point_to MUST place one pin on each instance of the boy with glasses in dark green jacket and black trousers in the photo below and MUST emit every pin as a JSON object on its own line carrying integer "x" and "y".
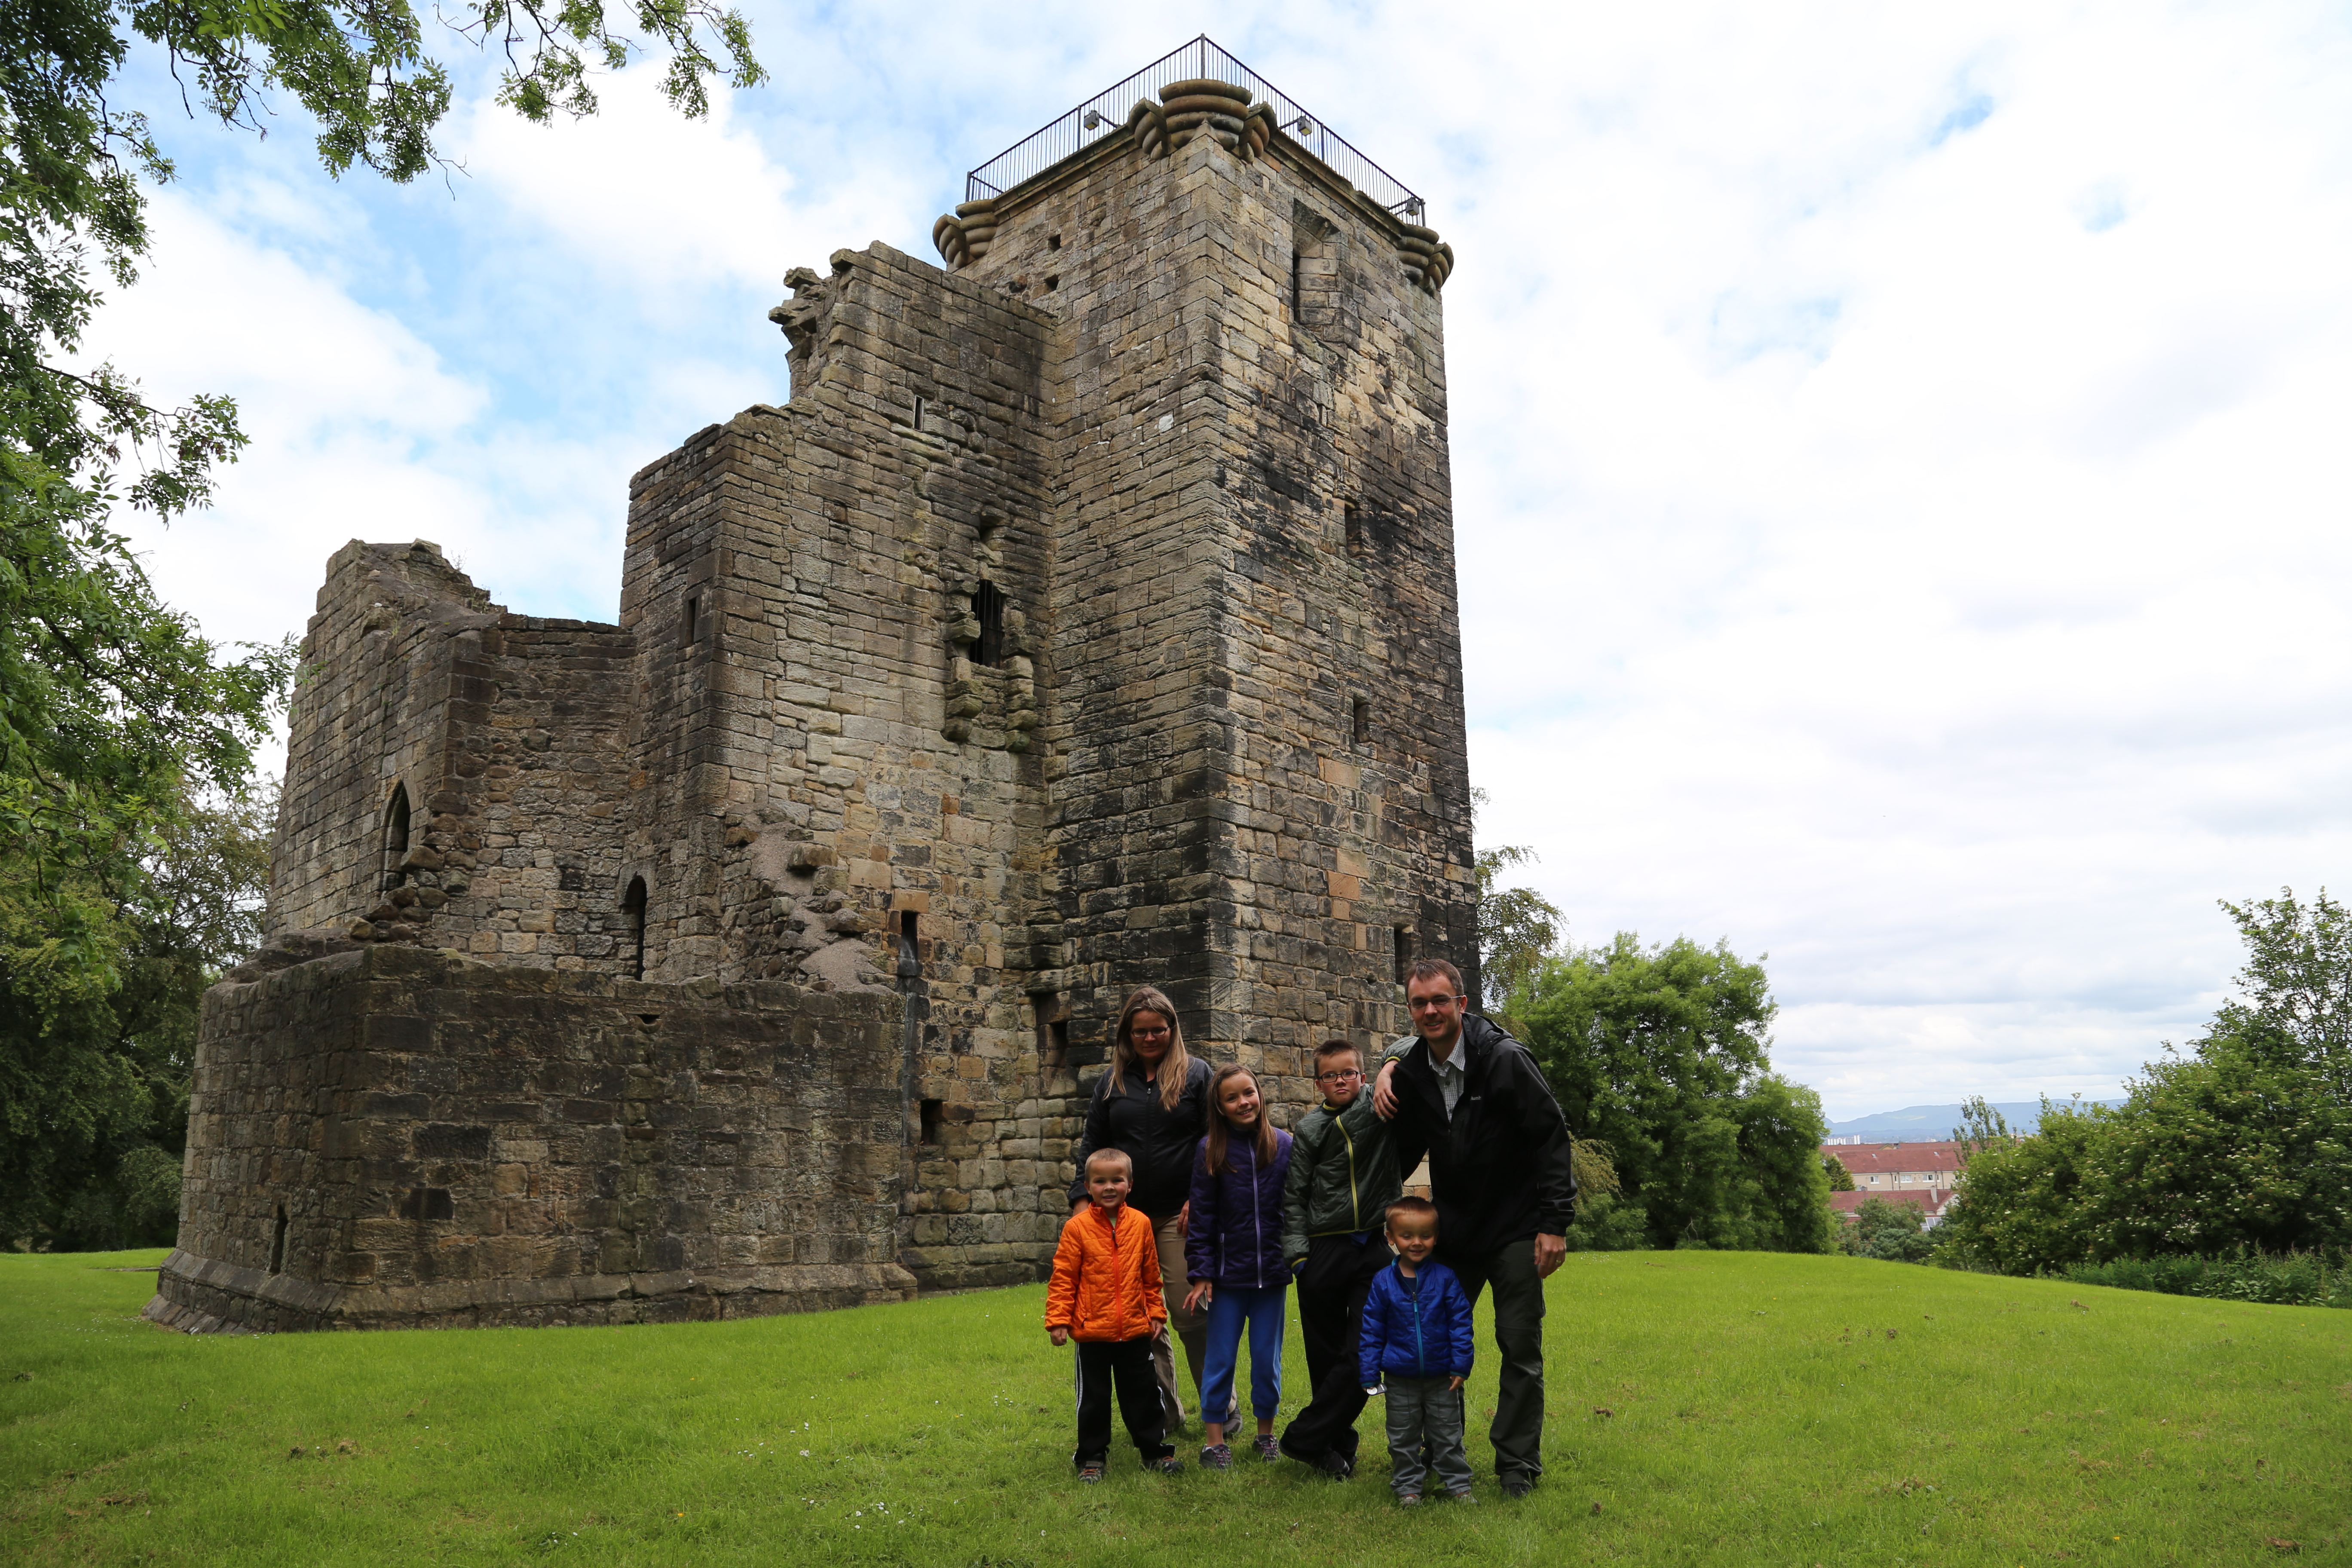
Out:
{"x": 1335, "y": 1207}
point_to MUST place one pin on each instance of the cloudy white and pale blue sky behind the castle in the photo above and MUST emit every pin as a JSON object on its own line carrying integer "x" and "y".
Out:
{"x": 1899, "y": 450}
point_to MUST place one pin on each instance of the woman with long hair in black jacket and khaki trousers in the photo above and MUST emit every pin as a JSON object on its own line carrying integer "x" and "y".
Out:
{"x": 1154, "y": 1106}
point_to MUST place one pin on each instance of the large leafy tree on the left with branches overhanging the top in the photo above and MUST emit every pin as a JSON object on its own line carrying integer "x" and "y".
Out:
{"x": 119, "y": 721}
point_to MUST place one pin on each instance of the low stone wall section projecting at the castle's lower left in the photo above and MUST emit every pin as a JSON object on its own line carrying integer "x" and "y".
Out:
{"x": 413, "y": 1139}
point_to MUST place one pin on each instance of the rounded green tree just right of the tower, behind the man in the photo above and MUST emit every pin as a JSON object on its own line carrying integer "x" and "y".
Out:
{"x": 1662, "y": 1054}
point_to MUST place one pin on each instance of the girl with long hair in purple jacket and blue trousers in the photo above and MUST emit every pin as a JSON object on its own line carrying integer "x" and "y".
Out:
{"x": 1234, "y": 1257}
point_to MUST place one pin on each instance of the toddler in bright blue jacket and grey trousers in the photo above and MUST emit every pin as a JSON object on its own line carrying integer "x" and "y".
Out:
{"x": 1417, "y": 1334}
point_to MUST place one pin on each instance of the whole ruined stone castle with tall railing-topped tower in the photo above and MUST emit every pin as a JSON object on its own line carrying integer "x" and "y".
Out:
{"x": 1085, "y": 619}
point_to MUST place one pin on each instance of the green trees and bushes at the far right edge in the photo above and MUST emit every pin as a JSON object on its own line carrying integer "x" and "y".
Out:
{"x": 2238, "y": 1144}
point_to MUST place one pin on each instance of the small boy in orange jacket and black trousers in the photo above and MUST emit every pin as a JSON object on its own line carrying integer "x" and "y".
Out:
{"x": 1107, "y": 1296}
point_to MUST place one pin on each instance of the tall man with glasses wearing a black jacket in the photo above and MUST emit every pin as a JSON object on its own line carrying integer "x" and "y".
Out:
{"x": 1469, "y": 1097}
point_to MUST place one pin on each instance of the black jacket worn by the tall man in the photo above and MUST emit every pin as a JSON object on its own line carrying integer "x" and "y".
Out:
{"x": 1499, "y": 1170}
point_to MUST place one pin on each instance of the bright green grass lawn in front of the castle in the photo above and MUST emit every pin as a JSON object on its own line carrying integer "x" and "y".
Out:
{"x": 1760, "y": 1409}
